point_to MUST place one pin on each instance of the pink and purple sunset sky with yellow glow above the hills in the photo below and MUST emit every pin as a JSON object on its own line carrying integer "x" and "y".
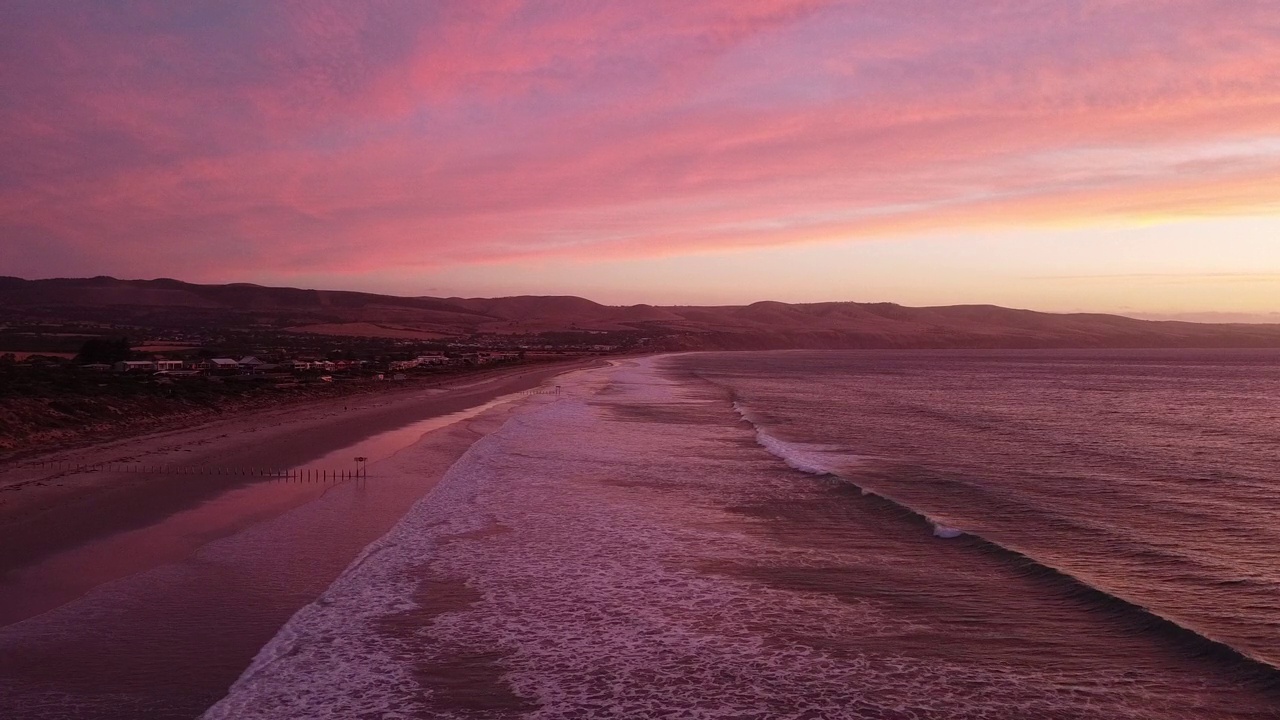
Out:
{"x": 1060, "y": 156}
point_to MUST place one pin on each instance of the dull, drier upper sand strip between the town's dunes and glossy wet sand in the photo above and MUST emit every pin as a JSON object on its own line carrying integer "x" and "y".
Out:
{"x": 44, "y": 513}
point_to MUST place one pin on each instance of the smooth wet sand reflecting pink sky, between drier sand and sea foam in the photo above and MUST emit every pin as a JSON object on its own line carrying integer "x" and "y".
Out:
{"x": 171, "y": 641}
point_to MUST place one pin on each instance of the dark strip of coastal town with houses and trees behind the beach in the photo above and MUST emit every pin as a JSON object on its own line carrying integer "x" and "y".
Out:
{"x": 60, "y": 384}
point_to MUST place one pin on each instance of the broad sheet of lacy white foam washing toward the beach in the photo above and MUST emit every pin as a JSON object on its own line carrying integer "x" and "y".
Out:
{"x": 606, "y": 569}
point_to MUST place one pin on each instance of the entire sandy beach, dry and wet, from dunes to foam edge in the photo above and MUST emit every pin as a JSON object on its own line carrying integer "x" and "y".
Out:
{"x": 68, "y": 537}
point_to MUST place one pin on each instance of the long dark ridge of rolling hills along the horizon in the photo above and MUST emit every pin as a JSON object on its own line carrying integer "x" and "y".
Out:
{"x": 767, "y": 325}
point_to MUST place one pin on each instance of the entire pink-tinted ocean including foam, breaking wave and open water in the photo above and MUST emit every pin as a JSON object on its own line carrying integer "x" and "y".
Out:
{"x": 1059, "y": 535}
